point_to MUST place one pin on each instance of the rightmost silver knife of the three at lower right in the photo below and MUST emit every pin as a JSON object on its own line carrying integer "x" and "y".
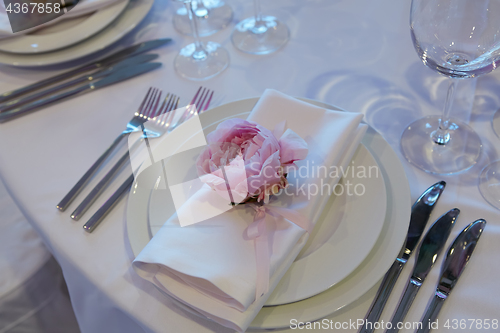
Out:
{"x": 457, "y": 258}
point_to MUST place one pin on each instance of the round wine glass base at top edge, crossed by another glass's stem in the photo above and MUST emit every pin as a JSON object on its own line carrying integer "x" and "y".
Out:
{"x": 213, "y": 16}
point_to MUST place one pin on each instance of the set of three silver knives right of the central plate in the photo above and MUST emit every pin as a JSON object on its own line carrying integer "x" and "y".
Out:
{"x": 458, "y": 256}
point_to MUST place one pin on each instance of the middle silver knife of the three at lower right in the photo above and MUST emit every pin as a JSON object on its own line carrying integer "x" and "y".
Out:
{"x": 428, "y": 252}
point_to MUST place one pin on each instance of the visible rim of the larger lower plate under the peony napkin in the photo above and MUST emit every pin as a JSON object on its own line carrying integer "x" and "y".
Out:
{"x": 359, "y": 281}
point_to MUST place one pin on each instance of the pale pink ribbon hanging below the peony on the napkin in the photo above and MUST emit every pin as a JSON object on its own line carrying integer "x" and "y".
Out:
{"x": 258, "y": 232}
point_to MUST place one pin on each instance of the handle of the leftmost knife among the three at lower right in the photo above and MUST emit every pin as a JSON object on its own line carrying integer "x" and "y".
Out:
{"x": 382, "y": 296}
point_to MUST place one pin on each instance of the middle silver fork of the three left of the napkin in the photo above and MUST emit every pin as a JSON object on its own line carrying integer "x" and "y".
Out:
{"x": 169, "y": 103}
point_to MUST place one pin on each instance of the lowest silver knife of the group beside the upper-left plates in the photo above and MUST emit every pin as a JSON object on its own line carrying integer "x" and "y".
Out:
{"x": 119, "y": 76}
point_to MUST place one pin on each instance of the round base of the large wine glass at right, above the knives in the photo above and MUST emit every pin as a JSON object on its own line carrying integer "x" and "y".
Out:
{"x": 459, "y": 154}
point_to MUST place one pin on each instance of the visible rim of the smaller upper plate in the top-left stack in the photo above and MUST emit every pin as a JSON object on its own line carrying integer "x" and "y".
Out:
{"x": 64, "y": 33}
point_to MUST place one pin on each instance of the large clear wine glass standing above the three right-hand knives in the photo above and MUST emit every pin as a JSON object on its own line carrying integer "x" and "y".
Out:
{"x": 458, "y": 39}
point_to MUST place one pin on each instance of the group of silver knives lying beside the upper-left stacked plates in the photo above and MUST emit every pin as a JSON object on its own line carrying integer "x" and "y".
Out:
{"x": 115, "y": 68}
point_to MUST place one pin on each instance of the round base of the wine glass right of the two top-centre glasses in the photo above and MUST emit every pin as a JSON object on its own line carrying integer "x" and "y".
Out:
{"x": 263, "y": 38}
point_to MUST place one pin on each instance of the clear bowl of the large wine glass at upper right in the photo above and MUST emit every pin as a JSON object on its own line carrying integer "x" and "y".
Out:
{"x": 458, "y": 39}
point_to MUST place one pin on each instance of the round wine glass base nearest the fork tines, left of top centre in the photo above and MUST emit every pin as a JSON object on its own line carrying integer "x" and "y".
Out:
{"x": 190, "y": 65}
